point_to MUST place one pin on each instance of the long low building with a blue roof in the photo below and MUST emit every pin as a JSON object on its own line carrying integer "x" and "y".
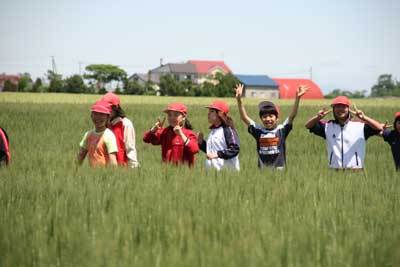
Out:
{"x": 259, "y": 86}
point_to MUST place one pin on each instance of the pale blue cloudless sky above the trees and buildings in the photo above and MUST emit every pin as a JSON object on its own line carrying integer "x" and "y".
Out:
{"x": 348, "y": 43}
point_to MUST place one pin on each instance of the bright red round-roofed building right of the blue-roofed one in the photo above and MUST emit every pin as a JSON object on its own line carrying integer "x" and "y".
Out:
{"x": 288, "y": 87}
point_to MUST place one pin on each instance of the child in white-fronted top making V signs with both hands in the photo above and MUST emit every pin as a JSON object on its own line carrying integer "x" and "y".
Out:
{"x": 345, "y": 137}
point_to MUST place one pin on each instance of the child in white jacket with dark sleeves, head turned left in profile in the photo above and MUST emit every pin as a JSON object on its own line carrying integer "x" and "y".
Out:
{"x": 222, "y": 145}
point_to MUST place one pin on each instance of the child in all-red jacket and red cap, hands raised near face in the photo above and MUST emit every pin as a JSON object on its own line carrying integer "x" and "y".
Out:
{"x": 178, "y": 142}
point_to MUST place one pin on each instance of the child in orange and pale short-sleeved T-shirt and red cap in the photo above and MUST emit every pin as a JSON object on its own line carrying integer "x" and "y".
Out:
{"x": 100, "y": 144}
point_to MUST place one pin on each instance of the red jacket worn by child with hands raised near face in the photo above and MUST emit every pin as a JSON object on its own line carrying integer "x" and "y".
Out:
{"x": 173, "y": 148}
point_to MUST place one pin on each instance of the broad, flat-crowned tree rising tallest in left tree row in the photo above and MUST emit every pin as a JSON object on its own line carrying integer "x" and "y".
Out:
{"x": 104, "y": 73}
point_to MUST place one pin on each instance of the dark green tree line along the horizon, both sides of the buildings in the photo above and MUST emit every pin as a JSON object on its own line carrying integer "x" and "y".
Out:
{"x": 97, "y": 77}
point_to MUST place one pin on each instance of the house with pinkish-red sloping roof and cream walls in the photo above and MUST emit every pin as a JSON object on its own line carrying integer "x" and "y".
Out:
{"x": 207, "y": 69}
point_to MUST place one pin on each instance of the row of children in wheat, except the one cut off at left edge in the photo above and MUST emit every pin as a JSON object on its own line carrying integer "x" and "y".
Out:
{"x": 112, "y": 141}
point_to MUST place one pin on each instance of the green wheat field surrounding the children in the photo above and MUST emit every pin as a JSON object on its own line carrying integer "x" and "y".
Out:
{"x": 54, "y": 213}
